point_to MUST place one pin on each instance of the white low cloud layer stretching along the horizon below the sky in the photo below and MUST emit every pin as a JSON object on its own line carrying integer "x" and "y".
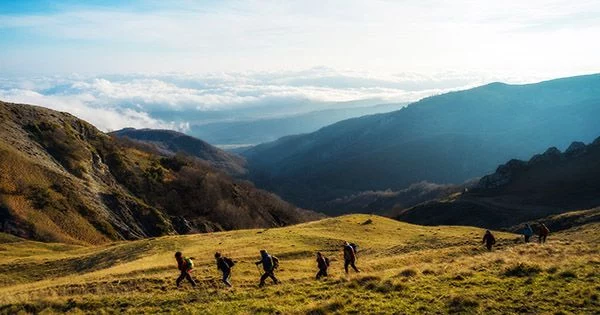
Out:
{"x": 112, "y": 102}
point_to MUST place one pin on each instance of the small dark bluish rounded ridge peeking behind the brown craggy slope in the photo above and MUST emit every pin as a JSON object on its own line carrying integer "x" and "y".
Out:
{"x": 171, "y": 142}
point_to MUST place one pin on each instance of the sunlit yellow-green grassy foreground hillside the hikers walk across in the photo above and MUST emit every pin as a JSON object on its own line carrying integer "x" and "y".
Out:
{"x": 406, "y": 268}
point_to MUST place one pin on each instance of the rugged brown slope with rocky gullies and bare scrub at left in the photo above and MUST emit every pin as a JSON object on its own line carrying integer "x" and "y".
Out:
{"x": 63, "y": 180}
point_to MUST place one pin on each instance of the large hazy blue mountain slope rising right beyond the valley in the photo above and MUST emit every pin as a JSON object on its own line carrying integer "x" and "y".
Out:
{"x": 447, "y": 138}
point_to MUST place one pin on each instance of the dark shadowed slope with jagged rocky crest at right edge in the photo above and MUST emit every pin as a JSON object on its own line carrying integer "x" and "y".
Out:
{"x": 548, "y": 184}
